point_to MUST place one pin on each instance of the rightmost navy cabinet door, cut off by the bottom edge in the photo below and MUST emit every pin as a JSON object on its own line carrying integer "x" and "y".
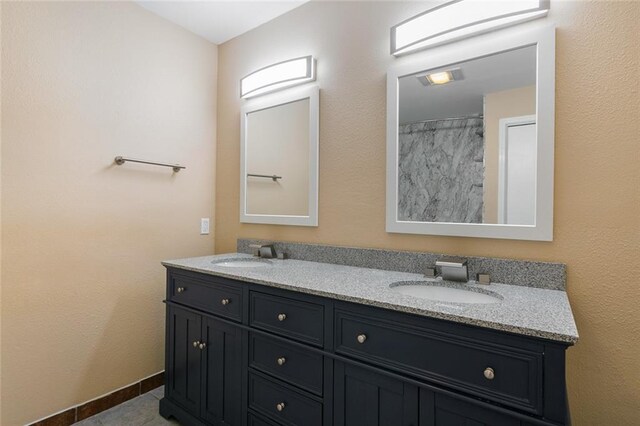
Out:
{"x": 441, "y": 410}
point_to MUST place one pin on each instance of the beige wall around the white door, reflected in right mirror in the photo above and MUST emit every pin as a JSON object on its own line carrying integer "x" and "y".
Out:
{"x": 498, "y": 105}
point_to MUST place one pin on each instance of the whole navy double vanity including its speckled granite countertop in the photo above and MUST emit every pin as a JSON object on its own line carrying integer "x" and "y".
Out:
{"x": 259, "y": 342}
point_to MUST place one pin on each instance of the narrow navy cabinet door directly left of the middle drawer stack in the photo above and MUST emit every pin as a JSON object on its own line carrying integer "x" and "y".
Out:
{"x": 221, "y": 387}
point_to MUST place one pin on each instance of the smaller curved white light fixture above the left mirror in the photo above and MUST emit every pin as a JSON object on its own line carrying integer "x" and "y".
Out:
{"x": 278, "y": 76}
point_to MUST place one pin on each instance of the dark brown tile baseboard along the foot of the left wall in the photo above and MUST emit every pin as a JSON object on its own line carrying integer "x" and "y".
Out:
{"x": 90, "y": 408}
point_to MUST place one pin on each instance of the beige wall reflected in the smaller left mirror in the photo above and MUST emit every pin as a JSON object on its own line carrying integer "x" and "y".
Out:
{"x": 278, "y": 144}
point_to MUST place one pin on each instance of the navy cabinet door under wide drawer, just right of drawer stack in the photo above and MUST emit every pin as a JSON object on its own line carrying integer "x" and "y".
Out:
{"x": 365, "y": 398}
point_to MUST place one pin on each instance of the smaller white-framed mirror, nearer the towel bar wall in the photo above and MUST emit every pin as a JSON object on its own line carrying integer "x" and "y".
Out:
{"x": 279, "y": 158}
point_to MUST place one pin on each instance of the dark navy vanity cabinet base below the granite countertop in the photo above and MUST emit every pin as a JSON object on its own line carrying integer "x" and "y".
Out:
{"x": 244, "y": 354}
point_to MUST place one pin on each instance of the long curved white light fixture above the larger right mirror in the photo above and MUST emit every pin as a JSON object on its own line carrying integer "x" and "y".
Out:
{"x": 458, "y": 19}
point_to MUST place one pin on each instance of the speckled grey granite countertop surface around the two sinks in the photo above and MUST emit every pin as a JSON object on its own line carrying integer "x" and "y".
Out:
{"x": 523, "y": 310}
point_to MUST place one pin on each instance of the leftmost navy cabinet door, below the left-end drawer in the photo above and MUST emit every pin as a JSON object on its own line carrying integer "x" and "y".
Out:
{"x": 183, "y": 358}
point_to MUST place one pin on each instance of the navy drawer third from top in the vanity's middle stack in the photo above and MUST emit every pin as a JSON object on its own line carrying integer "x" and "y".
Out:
{"x": 283, "y": 404}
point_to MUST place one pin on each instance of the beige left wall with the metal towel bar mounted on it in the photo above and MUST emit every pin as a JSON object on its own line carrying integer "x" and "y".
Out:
{"x": 82, "y": 283}
